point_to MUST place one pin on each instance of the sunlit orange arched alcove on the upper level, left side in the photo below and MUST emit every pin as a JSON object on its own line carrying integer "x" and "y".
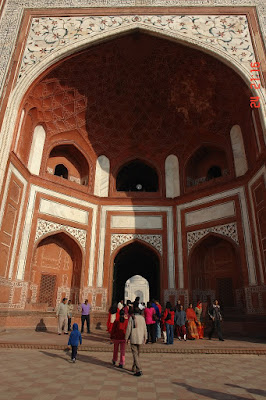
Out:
{"x": 68, "y": 162}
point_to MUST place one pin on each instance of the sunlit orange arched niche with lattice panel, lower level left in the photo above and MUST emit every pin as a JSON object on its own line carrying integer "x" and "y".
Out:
{"x": 56, "y": 270}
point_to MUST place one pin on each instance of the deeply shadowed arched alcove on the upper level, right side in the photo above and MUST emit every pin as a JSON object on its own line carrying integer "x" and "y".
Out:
{"x": 207, "y": 163}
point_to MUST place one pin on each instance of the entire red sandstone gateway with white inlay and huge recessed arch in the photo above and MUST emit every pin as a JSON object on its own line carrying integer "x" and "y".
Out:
{"x": 135, "y": 155}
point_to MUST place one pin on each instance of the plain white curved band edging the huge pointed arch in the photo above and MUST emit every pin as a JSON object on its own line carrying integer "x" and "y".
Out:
{"x": 49, "y": 62}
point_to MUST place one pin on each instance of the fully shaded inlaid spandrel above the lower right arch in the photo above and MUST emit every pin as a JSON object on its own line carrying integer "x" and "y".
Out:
{"x": 229, "y": 230}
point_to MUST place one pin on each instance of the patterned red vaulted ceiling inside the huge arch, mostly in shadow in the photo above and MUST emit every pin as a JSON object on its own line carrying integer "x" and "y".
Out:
{"x": 142, "y": 95}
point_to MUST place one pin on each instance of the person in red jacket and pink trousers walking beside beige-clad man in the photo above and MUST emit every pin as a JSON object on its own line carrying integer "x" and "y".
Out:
{"x": 118, "y": 337}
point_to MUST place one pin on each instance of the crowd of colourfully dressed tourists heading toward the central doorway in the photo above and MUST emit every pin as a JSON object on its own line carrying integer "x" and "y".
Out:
{"x": 140, "y": 324}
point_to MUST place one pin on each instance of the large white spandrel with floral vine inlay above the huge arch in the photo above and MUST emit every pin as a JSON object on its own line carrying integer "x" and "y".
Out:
{"x": 230, "y": 34}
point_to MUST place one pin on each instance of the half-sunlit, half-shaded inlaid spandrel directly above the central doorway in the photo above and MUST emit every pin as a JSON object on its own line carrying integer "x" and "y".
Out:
{"x": 117, "y": 239}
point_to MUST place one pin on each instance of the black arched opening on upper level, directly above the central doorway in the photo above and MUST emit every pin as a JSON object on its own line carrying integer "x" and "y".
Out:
{"x": 137, "y": 176}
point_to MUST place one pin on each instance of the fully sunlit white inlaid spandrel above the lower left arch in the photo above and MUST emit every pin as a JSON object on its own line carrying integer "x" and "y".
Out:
{"x": 45, "y": 227}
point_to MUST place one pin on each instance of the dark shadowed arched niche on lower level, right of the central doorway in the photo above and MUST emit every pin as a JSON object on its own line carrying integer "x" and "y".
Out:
{"x": 214, "y": 271}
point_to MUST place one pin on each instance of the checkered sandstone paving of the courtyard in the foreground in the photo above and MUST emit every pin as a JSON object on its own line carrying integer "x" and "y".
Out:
{"x": 47, "y": 375}
